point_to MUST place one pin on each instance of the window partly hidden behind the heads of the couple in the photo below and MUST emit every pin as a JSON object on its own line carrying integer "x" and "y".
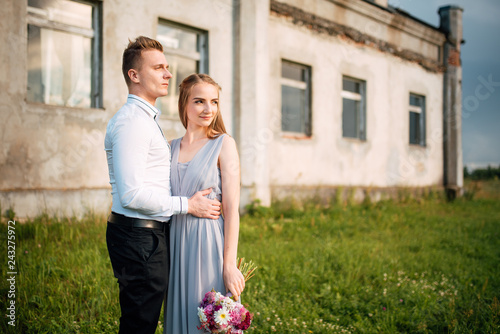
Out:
{"x": 186, "y": 50}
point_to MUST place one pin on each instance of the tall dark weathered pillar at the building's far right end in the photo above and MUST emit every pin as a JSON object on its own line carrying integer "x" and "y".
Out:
{"x": 451, "y": 25}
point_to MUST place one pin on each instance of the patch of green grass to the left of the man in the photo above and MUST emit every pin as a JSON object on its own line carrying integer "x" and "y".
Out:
{"x": 64, "y": 282}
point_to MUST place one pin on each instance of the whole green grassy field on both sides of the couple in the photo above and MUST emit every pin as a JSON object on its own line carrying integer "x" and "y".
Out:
{"x": 415, "y": 266}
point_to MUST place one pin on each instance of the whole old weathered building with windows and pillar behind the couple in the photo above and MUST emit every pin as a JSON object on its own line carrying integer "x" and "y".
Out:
{"x": 318, "y": 94}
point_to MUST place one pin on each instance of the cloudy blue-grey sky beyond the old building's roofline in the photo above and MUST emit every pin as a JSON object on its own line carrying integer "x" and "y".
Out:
{"x": 480, "y": 73}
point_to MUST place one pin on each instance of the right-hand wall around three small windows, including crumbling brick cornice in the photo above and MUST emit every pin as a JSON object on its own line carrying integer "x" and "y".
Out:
{"x": 395, "y": 57}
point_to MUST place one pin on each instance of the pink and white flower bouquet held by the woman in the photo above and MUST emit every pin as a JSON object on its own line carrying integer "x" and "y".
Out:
{"x": 223, "y": 314}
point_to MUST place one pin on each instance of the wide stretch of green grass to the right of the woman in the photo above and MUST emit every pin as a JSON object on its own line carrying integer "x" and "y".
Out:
{"x": 419, "y": 267}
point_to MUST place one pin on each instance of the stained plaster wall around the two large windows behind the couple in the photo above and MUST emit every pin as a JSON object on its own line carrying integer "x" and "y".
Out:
{"x": 52, "y": 158}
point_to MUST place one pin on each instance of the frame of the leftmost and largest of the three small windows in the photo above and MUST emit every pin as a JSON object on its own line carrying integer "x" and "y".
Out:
{"x": 306, "y": 86}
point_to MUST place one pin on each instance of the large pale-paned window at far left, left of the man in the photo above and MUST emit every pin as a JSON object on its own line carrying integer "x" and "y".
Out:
{"x": 64, "y": 63}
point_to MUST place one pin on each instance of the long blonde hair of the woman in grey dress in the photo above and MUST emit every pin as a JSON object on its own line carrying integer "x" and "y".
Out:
{"x": 216, "y": 128}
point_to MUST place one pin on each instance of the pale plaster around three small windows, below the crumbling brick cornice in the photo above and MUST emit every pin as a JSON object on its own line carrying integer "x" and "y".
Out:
{"x": 327, "y": 159}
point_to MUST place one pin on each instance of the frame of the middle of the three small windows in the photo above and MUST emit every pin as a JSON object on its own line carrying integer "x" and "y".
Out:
{"x": 361, "y": 126}
